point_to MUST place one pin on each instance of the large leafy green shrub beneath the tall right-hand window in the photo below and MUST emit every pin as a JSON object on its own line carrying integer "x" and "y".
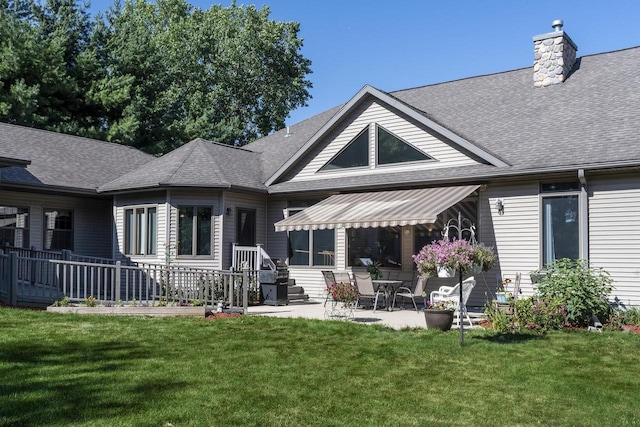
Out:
{"x": 580, "y": 289}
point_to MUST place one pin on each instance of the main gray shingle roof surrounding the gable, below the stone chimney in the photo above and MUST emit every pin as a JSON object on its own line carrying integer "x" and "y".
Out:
{"x": 589, "y": 119}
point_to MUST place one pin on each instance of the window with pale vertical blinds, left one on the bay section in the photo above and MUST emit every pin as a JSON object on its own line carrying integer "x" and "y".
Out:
{"x": 140, "y": 231}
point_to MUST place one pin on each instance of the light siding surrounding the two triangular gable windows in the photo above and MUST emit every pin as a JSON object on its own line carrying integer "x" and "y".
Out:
{"x": 366, "y": 116}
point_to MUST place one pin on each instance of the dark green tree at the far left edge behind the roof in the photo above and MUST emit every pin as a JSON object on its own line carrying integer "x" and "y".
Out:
{"x": 46, "y": 65}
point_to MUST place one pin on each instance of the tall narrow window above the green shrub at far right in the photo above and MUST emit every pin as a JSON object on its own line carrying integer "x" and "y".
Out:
{"x": 560, "y": 222}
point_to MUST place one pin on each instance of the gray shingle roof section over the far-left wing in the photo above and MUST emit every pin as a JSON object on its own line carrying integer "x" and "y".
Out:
{"x": 64, "y": 161}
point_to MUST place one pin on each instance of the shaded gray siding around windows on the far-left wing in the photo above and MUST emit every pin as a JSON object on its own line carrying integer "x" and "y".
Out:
{"x": 92, "y": 224}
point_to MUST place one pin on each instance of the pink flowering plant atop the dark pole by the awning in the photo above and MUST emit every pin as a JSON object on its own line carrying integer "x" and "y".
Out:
{"x": 451, "y": 256}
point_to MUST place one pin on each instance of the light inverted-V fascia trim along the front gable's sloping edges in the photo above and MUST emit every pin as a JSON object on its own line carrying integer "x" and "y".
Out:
{"x": 395, "y": 103}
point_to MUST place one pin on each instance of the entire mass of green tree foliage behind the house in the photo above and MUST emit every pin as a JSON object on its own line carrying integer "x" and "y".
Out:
{"x": 150, "y": 74}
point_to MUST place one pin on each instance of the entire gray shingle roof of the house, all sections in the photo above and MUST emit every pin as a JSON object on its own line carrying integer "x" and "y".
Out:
{"x": 589, "y": 120}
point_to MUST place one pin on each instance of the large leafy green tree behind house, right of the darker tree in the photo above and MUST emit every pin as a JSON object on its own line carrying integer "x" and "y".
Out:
{"x": 176, "y": 72}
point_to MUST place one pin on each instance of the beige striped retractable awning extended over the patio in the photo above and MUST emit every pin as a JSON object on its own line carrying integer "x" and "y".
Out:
{"x": 377, "y": 209}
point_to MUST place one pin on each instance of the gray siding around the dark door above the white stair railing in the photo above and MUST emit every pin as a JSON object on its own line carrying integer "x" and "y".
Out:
{"x": 234, "y": 200}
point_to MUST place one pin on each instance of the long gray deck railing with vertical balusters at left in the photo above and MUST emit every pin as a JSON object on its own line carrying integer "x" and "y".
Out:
{"x": 24, "y": 278}
